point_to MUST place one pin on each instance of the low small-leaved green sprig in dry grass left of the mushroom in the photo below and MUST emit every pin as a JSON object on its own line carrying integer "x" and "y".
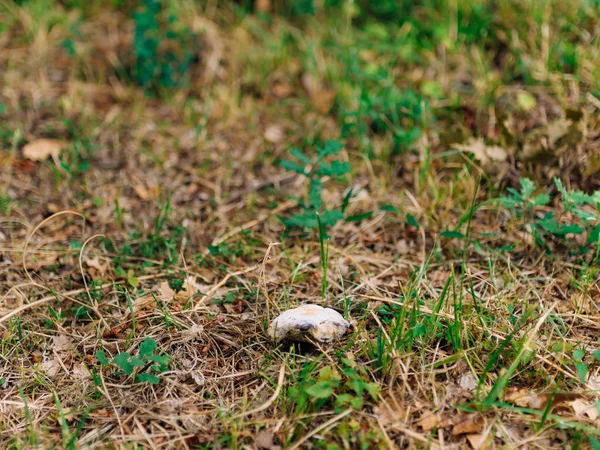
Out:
{"x": 146, "y": 360}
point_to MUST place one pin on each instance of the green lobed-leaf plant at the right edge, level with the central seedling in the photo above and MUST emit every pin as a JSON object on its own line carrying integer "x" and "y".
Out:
{"x": 573, "y": 219}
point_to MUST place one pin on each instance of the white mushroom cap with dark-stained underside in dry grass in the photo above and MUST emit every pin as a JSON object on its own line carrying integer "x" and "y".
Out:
{"x": 309, "y": 323}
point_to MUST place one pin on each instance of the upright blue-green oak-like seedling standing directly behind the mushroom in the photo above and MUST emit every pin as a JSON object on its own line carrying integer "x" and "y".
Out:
{"x": 323, "y": 165}
